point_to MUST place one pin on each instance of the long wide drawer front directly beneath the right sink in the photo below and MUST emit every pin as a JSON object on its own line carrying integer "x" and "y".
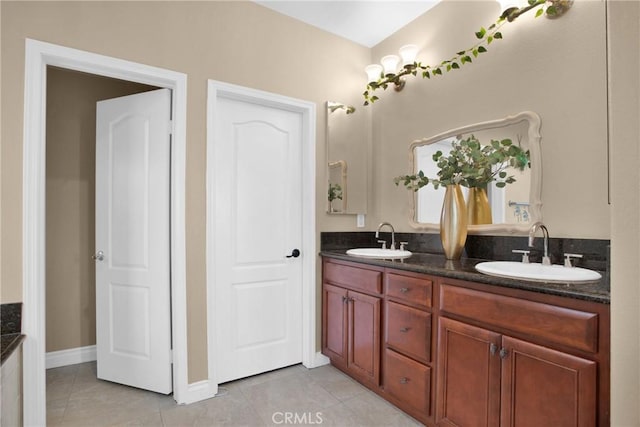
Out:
{"x": 564, "y": 326}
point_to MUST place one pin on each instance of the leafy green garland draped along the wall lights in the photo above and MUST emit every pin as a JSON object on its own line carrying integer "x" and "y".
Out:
{"x": 485, "y": 36}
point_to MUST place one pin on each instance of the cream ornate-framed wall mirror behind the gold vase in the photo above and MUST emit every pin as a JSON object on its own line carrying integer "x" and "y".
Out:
{"x": 514, "y": 207}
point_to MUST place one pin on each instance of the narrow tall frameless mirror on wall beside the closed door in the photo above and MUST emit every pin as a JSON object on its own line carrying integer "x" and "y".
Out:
{"x": 347, "y": 157}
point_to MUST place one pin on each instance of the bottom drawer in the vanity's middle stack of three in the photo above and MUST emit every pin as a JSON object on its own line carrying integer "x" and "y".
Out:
{"x": 408, "y": 381}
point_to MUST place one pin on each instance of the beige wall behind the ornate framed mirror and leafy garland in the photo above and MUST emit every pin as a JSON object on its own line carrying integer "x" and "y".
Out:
{"x": 556, "y": 68}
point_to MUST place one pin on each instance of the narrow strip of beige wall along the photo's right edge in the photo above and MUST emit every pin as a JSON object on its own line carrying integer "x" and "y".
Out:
{"x": 624, "y": 78}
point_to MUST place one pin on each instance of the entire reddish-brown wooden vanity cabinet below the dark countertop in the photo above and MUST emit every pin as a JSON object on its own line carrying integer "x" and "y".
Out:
{"x": 456, "y": 353}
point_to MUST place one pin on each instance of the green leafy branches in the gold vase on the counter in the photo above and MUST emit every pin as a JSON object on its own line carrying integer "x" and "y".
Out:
{"x": 472, "y": 164}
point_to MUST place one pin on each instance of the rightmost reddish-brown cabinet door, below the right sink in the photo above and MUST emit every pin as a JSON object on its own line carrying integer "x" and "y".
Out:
{"x": 544, "y": 387}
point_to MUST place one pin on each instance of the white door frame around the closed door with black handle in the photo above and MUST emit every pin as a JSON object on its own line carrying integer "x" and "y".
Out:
{"x": 307, "y": 110}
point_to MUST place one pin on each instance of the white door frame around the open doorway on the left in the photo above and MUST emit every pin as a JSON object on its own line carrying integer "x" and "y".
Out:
{"x": 38, "y": 56}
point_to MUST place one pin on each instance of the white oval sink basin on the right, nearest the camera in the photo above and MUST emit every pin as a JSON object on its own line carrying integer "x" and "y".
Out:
{"x": 538, "y": 272}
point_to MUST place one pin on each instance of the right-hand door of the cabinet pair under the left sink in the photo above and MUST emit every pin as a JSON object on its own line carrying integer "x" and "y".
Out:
{"x": 364, "y": 336}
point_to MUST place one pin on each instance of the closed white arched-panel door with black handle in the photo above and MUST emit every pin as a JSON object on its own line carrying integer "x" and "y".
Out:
{"x": 258, "y": 233}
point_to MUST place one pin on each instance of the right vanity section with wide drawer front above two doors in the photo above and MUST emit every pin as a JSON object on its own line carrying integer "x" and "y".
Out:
{"x": 506, "y": 361}
